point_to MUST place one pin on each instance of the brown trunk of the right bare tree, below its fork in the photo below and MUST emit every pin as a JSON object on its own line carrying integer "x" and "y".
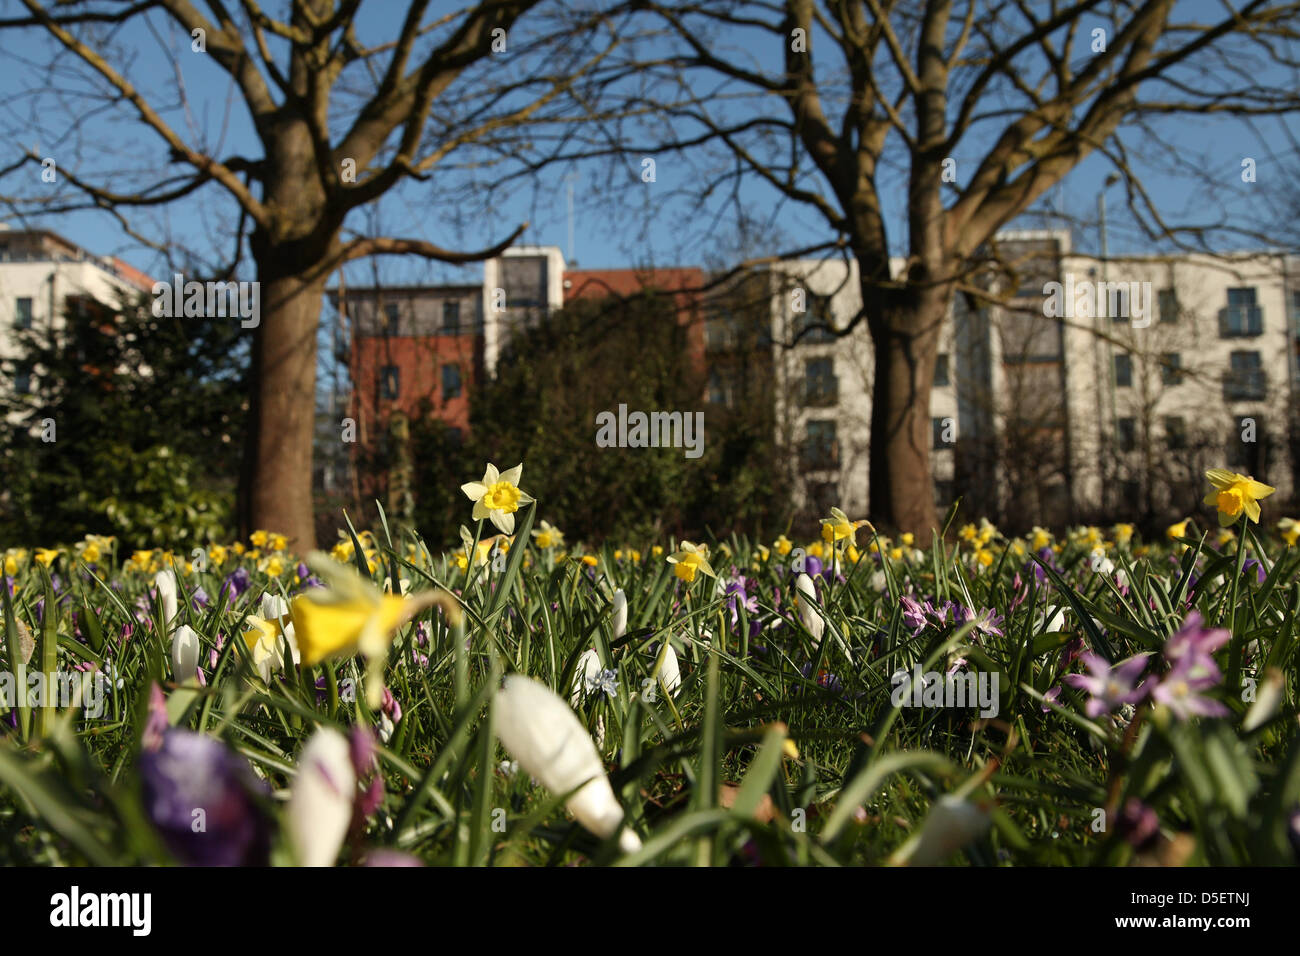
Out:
{"x": 905, "y": 339}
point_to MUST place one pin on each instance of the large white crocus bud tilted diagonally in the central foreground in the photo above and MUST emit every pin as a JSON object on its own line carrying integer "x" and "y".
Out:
{"x": 540, "y": 732}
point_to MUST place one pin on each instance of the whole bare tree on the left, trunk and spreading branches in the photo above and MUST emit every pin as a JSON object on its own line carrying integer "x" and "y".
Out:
{"x": 339, "y": 124}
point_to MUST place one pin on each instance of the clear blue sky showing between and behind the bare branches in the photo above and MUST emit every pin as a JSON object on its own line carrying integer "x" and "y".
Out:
{"x": 652, "y": 223}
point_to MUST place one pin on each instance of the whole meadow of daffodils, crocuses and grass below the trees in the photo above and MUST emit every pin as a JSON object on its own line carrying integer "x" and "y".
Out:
{"x": 515, "y": 699}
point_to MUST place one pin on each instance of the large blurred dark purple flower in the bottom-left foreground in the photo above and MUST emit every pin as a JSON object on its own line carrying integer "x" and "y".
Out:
{"x": 189, "y": 777}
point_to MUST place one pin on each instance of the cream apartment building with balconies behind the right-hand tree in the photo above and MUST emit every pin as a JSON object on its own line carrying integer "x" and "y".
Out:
{"x": 1071, "y": 392}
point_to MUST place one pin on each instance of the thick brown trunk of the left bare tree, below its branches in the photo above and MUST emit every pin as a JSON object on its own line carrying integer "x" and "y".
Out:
{"x": 284, "y": 406}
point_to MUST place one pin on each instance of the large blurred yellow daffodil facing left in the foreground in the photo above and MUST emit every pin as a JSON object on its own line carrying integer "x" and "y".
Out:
{"x": 350, "y": 616}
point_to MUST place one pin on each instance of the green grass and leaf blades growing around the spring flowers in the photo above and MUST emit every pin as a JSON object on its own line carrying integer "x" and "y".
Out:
{"x": 707, "y": 775}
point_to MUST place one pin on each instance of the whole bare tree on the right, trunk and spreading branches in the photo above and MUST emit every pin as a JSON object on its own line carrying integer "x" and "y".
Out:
{"x": 978, "y": 109}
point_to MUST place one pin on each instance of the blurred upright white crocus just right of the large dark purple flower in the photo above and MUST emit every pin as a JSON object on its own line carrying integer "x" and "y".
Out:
{"x": 320, "y": 799}
